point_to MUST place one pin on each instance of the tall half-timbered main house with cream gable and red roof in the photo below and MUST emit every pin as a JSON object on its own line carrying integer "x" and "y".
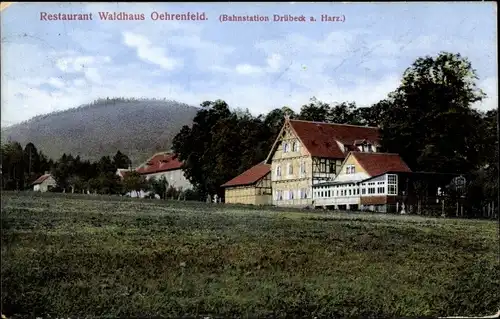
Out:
{"x": 306, "y": 153}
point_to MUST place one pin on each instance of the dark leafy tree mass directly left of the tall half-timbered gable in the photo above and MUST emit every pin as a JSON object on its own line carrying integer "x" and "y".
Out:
{"x": 221, "y": 144}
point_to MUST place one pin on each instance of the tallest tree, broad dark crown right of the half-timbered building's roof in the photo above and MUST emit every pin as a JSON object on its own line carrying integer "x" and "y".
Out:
{"x": 429, "y": 120}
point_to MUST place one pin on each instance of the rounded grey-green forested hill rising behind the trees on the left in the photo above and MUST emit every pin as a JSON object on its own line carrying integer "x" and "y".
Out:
{"x": 137, "y": 127}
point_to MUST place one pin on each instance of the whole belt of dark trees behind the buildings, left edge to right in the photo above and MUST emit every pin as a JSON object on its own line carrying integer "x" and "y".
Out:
{"x": 429, "y": 120}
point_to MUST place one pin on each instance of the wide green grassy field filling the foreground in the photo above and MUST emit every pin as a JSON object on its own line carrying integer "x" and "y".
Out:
{"x": 77, "y": 256}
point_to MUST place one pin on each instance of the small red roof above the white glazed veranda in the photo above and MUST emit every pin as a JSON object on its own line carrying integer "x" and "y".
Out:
{"x": 380, "y": 163}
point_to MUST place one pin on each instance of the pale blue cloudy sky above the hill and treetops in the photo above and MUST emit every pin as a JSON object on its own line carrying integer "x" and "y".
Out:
{"x": 55, "y": 65}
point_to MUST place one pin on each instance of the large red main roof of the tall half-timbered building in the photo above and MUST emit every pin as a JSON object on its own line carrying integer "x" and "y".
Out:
{"x": 320, "y": 138}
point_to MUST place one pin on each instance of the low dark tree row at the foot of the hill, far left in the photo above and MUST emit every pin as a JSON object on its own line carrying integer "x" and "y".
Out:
{"x": 21, "y": 167}
